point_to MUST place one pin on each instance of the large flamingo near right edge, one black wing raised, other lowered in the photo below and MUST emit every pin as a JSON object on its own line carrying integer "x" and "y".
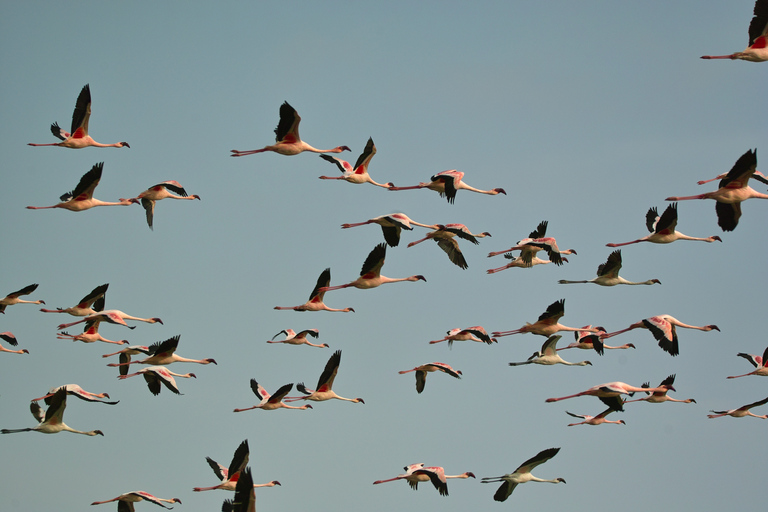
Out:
{"x": 733, "y": 189}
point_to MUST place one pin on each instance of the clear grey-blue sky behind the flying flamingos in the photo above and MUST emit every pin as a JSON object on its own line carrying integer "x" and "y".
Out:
{"x": 587, "y": 113}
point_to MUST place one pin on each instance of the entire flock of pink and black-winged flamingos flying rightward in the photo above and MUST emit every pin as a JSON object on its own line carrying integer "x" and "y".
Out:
{"x": 732, "y": 190}
